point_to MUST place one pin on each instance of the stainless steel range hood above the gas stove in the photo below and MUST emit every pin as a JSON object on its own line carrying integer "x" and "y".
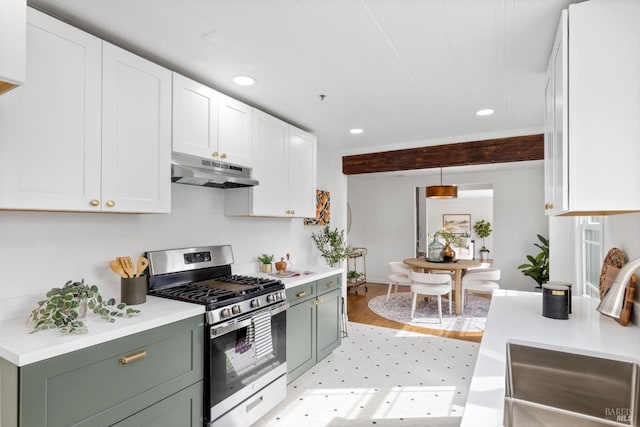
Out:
{"x": 192, "y": 170}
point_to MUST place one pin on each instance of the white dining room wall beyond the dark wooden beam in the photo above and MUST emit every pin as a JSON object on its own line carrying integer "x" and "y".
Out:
{"x": 382, "y": 209}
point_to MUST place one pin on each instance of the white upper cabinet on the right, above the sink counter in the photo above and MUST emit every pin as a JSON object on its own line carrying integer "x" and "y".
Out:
{"x": 592, "y": 137}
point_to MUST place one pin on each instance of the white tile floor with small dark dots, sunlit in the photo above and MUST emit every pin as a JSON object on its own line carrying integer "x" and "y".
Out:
{"x": 383, "y": 377}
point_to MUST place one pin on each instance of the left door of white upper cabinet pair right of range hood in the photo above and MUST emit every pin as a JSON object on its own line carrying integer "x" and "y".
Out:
{"x": 271, "y": 137}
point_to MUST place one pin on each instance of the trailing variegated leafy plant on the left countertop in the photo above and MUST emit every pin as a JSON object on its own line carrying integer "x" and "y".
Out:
{"x": 63, "y": 306}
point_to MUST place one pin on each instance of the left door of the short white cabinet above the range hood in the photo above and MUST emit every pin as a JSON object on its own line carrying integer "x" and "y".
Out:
{"x": 195, "y": 118}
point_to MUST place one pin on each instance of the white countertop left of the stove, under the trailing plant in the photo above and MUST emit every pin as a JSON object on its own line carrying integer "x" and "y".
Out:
{"x": 20, "y": 347}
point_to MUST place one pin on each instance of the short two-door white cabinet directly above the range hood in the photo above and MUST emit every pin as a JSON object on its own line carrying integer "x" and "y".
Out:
{"x": 209, "y": 124}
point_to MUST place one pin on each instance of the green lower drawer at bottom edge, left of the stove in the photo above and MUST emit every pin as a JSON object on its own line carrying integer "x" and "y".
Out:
{"x": 182, "y": 409}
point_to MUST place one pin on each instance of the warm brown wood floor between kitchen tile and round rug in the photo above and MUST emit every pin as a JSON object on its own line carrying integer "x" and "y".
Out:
{"x": 358, "y": 311}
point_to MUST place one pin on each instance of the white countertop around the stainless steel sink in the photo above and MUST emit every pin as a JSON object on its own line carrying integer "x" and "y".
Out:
{"x": 518, "y": 316}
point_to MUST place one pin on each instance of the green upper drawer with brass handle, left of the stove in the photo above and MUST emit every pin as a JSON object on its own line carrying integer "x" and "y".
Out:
{"x": 106, "y": 383}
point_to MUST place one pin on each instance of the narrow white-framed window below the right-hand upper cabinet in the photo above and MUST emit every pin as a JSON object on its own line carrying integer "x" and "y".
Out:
{"x": 592, "y": 254}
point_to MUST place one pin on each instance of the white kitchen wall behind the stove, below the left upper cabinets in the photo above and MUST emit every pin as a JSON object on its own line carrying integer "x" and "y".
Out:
{"x": 41, "y": 250}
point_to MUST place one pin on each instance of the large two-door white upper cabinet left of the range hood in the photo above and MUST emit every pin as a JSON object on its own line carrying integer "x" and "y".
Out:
{"x": 77, "y": 137}
